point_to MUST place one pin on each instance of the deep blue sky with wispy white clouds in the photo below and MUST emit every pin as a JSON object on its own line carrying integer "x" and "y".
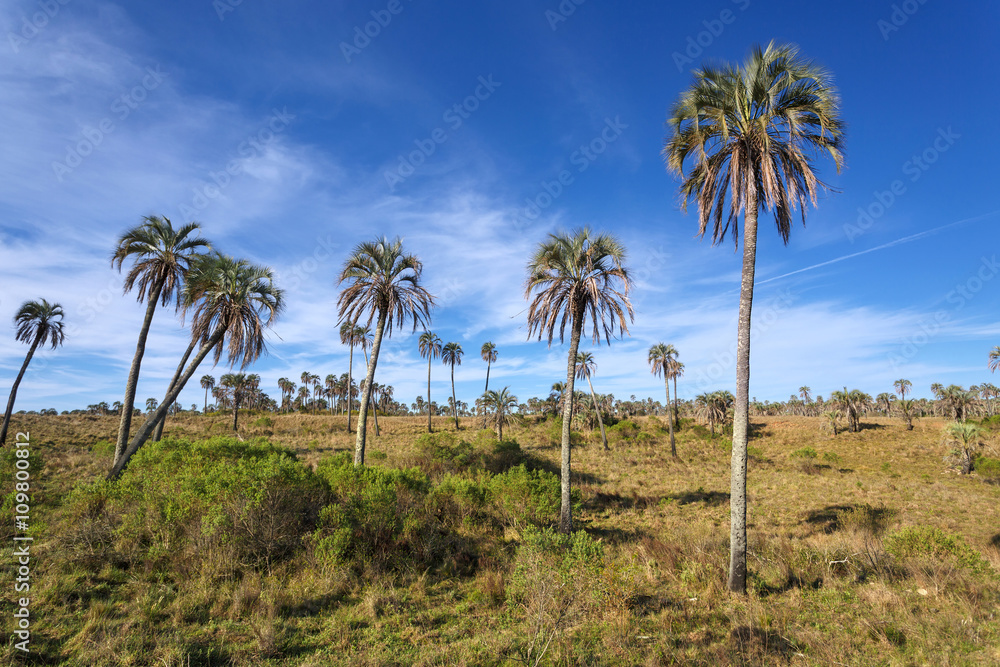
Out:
{"x": 294, "y": 131}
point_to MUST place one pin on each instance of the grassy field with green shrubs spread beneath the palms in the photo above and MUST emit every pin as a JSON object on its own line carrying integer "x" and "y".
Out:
{"x": 864, "y": 549}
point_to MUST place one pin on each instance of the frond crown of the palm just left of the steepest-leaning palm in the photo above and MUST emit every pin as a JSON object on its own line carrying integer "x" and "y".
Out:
{"x": 162, "y": 256}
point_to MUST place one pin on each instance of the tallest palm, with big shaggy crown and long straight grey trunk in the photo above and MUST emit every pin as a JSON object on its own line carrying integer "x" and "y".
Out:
{"x": 748, "y": 131}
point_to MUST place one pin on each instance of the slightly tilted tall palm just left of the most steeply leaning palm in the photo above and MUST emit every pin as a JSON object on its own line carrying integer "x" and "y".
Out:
{"x": 162, "y": 258}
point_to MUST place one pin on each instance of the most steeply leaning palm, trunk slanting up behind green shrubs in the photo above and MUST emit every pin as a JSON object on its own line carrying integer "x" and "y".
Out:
{"x": 234, "y": 301}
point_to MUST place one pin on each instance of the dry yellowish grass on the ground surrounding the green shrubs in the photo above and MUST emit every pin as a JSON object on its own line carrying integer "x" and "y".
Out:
{"x": 824, "y": 592}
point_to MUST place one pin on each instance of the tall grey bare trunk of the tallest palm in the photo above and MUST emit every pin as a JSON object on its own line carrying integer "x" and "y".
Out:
{"x": 741, "y": 418}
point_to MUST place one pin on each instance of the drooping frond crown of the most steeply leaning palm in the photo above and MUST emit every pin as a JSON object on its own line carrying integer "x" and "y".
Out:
{"x": 237, "y": 298}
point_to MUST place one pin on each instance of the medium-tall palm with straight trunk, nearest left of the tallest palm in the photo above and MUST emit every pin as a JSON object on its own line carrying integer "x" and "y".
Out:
{"x": 571, "y": 276}
